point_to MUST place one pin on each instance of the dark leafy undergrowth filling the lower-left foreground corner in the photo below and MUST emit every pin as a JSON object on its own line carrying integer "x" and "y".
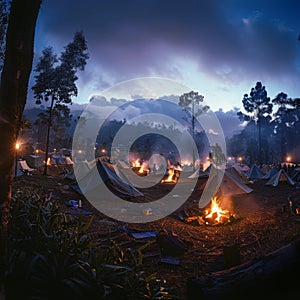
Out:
{"x": 52, "y": 256}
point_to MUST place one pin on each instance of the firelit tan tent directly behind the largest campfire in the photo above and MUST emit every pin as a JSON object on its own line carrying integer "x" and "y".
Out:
{"x": 230, "y": 185}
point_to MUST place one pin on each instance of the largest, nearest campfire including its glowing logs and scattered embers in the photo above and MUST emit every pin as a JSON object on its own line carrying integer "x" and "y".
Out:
{"x": 214, "y": 215}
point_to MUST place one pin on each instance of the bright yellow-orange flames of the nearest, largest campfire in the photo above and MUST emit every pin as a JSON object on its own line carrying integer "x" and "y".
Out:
{"x": 215, "y": 214}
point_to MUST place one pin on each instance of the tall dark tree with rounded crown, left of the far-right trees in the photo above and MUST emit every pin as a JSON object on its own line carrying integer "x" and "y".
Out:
{"x": 258, "y": 106}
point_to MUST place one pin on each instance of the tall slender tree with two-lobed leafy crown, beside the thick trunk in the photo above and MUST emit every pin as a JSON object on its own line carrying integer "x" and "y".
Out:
{"x": 56, "y": 82}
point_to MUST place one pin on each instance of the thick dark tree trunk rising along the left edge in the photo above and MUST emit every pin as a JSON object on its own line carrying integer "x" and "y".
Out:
{"x": 13, "y": 93}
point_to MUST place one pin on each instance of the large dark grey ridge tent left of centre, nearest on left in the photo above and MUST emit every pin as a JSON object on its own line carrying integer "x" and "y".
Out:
{"x": 103, "y": 174}
